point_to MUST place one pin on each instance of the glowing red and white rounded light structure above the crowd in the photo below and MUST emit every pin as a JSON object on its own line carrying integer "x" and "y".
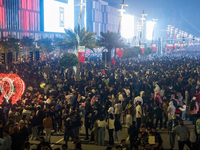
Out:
{"x": 11, "y": 87}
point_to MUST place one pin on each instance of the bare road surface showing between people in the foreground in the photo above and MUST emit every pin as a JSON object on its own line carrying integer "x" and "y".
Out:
{"x": 57, "y": 139}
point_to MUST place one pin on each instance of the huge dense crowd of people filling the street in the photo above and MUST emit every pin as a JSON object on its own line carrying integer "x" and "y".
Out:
{"x": 143, "y": 95}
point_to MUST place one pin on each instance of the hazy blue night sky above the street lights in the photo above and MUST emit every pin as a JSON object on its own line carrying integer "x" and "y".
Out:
{"x": 183, "y": 14}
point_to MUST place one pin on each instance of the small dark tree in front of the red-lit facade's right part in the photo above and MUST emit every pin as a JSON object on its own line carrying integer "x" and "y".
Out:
{"x": 27, "y": 44}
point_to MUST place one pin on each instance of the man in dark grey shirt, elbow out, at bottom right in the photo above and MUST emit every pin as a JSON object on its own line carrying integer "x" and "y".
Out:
{"x": 183, "y": 133}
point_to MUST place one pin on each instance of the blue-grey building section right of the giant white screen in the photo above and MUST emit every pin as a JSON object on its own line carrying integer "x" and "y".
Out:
{"x": 101, "y": 17}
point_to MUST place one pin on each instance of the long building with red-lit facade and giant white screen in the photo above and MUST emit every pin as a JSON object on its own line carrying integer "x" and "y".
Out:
{"x": 49, "y": 18}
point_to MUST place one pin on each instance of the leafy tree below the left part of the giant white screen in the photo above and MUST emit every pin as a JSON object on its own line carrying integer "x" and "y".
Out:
{"x": 46, "y": 45}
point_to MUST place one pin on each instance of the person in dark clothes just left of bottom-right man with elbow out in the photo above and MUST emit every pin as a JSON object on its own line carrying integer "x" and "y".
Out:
{"x": 172, "y": 123}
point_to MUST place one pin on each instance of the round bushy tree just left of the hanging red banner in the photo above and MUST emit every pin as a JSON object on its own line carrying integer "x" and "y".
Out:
{"x": 68, "y": 60}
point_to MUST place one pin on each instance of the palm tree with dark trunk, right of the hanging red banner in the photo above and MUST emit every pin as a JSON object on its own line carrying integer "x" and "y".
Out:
{"x": 109, "y": 41}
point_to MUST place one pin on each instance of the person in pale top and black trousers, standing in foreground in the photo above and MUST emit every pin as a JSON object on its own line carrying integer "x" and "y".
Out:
{"x": 111, "y": 127}
